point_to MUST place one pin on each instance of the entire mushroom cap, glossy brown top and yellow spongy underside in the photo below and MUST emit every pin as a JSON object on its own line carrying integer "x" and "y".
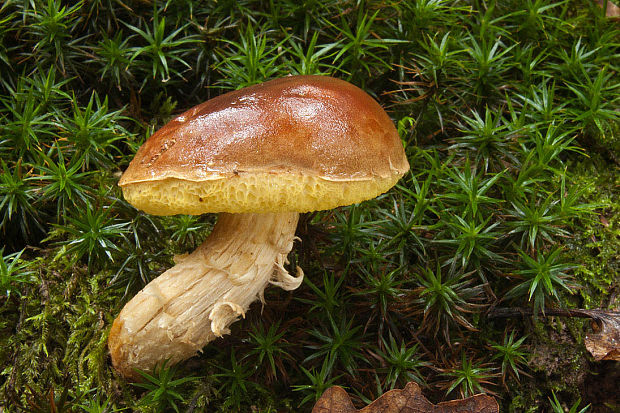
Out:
{"x": 298, "y": 143}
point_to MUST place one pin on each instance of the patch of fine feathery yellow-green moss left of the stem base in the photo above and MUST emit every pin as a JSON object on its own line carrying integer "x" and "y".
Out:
{"x": 59, "y": 334}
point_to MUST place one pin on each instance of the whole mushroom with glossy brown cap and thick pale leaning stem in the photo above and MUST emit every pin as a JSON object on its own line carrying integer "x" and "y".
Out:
{"x": 259, "y": 156}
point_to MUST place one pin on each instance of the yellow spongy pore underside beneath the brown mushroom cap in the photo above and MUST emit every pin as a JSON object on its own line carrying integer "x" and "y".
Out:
{"x": 259, "y": 192}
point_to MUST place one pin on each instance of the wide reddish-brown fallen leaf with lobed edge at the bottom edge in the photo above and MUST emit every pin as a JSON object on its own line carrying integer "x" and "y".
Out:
{"x": 408, "y": 400}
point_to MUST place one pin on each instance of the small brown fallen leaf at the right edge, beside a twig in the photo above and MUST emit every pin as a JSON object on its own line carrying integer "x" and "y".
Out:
{"x": 604, "y": 342}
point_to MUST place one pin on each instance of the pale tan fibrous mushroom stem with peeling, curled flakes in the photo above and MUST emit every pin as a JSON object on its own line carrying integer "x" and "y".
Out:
{"x": 195, "y": 301}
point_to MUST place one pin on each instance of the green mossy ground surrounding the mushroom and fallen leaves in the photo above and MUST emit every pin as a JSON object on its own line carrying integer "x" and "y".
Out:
{"x": 508, "y": 111}
